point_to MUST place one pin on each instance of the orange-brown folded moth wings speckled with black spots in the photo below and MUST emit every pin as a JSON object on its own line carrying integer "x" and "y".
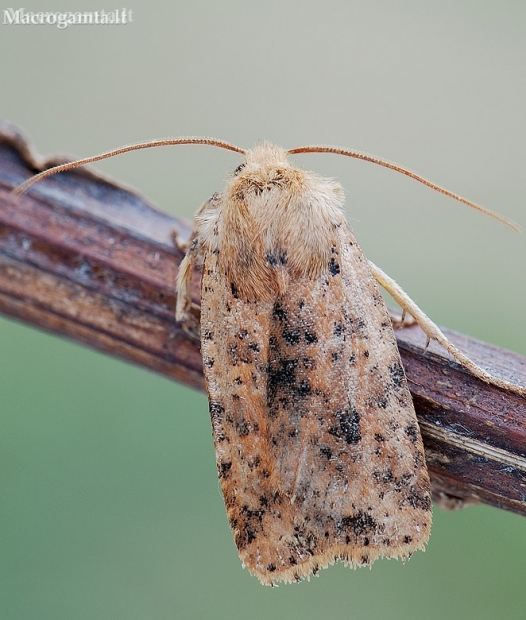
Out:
{"x": 317, "y": 444}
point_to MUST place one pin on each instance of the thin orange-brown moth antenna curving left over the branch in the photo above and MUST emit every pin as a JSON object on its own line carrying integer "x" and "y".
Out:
{"x": 22, "y": 188}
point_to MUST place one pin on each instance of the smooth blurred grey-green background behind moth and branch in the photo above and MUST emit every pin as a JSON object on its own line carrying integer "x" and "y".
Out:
{"x": 110, "y": 506}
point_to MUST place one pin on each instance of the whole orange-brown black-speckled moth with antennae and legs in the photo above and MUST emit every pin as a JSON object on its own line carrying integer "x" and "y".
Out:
{"x": 317, "y": 443}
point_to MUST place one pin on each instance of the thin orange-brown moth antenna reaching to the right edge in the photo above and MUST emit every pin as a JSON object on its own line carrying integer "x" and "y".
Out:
{"x": 387, "y": 164}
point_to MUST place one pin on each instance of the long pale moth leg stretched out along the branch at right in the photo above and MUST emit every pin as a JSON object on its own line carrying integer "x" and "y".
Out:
{"x": 432, "y": 331}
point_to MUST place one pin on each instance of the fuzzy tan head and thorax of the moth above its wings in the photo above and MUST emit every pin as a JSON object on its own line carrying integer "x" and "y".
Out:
{"x": 272, "y": 222}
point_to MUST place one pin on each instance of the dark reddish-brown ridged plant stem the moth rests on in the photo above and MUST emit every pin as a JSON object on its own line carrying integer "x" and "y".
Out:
{"x": 85, "y": 258}
